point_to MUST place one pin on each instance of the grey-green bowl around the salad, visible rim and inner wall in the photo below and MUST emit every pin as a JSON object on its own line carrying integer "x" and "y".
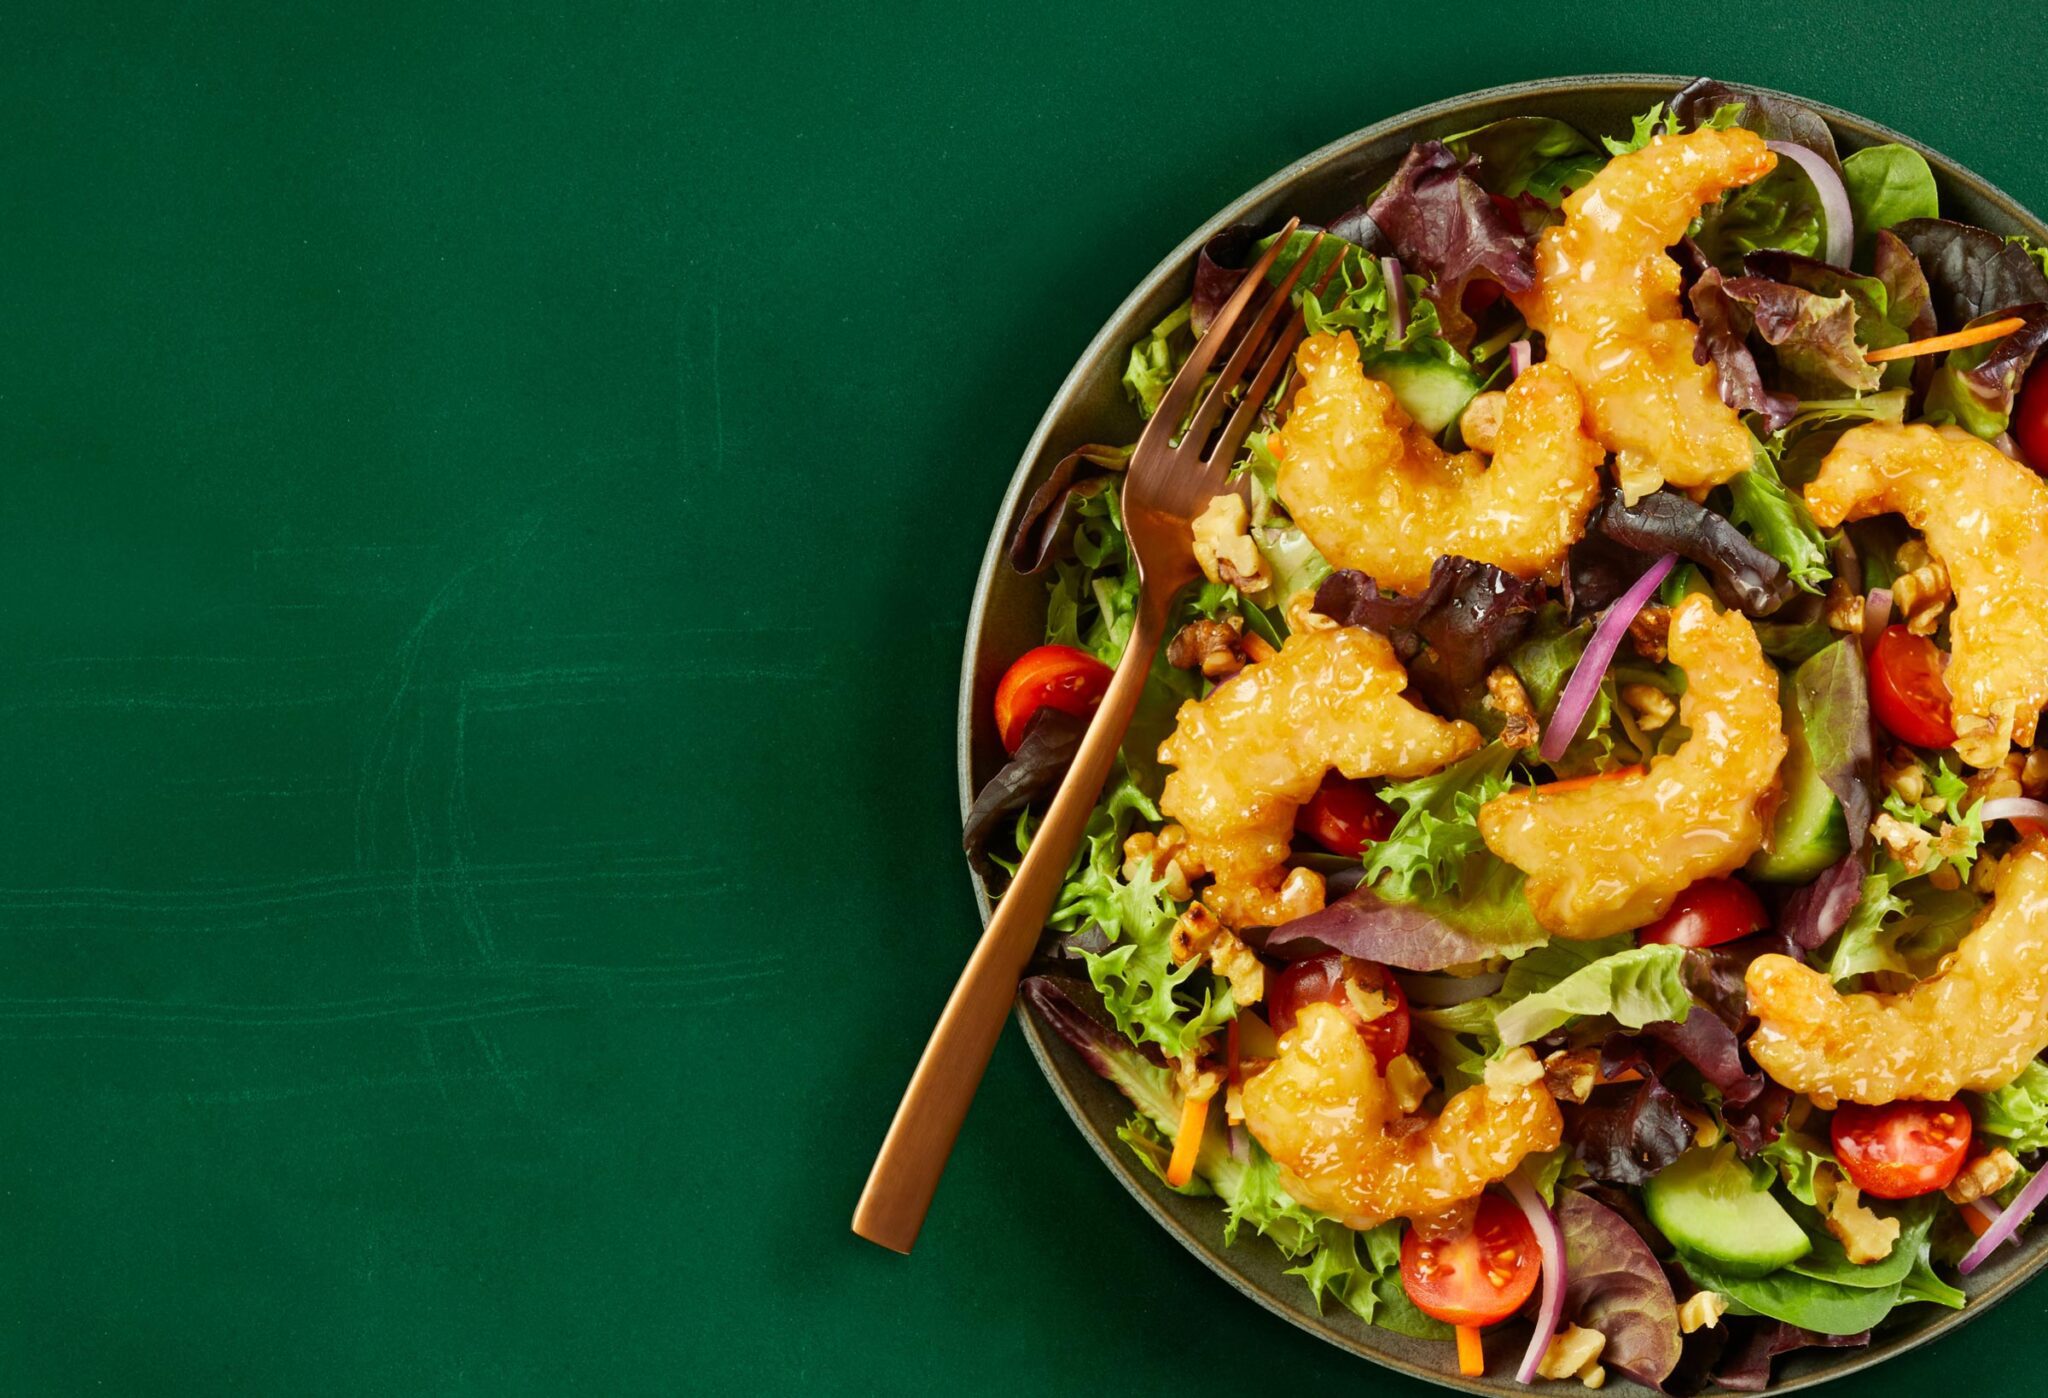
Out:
{"x": 1009, "y": 619}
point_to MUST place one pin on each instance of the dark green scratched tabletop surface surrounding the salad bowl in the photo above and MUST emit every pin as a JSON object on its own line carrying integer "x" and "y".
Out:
{"x": 488, "y": 507}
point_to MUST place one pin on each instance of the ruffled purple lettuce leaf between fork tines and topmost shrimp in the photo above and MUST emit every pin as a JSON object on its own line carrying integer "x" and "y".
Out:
{"x": 1443, "y": 224}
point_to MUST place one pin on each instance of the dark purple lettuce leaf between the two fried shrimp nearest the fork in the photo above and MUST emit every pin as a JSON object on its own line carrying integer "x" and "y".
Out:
{"x": 1451, "y": 634}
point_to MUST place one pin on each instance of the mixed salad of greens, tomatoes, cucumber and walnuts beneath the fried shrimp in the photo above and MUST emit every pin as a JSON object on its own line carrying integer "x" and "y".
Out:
{"x": 1703, "y": 1219}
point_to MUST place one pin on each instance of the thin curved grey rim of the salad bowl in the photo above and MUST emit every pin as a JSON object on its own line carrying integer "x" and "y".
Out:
{"x": 1111, "y": 337}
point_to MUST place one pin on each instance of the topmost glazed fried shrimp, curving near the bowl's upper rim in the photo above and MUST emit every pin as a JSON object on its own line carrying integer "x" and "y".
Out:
{"x": 1607, "y": 302}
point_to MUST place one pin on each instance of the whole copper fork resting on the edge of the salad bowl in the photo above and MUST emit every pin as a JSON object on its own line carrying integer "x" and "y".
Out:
{"x": 1172, "y": 478}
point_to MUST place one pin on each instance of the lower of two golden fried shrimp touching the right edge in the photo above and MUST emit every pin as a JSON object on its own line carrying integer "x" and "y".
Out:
{"x": 1975, "y": 1024}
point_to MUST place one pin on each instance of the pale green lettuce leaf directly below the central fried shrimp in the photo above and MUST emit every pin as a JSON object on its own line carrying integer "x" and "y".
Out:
{"x": 1635, "y": 986}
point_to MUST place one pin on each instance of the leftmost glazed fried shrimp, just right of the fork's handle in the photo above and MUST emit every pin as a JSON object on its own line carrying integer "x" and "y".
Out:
{"x": 1261, "y": 744}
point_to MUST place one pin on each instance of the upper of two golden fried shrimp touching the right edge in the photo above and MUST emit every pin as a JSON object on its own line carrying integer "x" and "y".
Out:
{"x": 1986, "y": 519}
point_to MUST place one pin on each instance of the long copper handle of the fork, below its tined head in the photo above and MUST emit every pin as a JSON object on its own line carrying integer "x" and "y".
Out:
{"x": 935, "y": 1104}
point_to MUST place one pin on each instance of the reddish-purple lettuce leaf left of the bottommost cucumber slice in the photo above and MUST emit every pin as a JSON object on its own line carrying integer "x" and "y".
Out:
{"x": 1613, "y": 1284}
